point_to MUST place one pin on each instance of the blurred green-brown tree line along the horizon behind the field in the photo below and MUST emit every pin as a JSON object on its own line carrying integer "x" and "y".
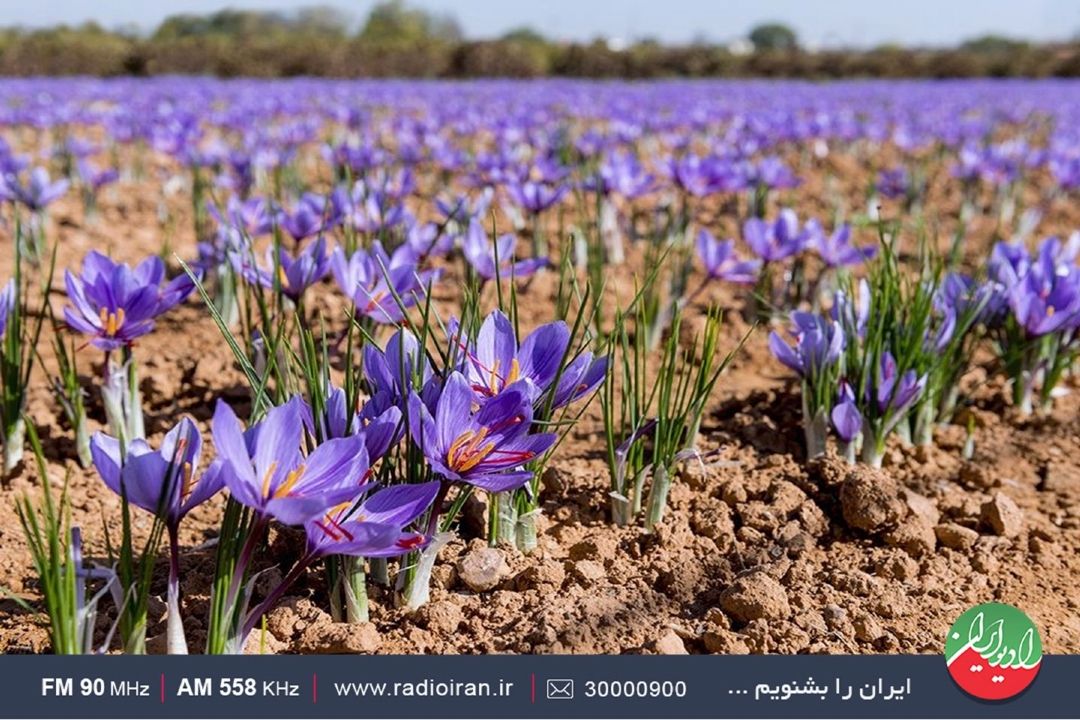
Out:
{"x": 397, "y": 40}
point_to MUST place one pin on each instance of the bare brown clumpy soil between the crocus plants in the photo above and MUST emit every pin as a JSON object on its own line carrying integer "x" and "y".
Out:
{"x": 761, "y": 552}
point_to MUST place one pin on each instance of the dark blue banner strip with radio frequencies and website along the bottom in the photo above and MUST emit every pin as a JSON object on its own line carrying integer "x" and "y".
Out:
{"x": 514, "y": 687}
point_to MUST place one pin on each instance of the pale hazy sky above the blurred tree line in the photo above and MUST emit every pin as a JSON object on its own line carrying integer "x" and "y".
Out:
{"x": 819, "y": 23}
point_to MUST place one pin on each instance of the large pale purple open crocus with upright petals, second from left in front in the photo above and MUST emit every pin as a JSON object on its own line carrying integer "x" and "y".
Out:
{"x": 266, "y": 470}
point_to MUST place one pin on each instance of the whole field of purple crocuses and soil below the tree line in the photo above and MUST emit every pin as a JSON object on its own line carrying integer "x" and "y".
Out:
{"x": 328, "y": 366}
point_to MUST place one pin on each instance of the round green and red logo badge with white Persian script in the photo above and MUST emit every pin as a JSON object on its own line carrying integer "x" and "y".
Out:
{"x": 994, "y": 651}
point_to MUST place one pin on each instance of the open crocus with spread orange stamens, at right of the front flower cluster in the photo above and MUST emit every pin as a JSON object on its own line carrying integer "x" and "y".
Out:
{"x": 487, "y": 447}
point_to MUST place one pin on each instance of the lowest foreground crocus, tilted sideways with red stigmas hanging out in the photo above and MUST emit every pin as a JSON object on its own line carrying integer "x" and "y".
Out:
{"x": 375, "y": 528}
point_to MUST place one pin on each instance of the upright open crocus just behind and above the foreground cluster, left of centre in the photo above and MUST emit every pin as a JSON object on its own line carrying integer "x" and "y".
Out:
{"x": 372, "y": 280}
